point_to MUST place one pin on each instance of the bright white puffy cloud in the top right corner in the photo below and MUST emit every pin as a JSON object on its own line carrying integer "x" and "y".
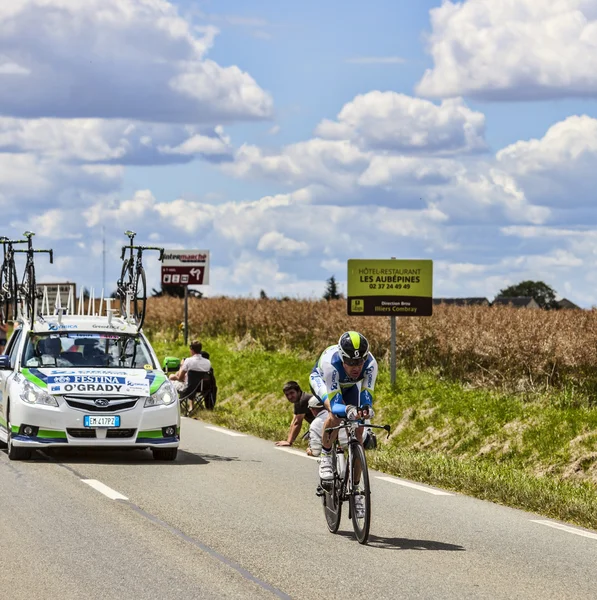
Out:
{"x": 512, "y": 49}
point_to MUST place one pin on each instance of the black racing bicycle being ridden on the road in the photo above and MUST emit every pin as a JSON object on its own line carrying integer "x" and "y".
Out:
{"x": 351, "y": 479}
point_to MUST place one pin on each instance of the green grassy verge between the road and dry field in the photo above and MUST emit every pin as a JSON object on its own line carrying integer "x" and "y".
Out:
{"x": 538, "y": 454}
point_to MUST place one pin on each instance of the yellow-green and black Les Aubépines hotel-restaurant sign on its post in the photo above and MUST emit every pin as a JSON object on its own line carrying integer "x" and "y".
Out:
{"x": 394, "y": 288}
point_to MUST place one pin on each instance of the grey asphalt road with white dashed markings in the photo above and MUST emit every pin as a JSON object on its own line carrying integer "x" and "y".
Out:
{"x": 235, "y": 517}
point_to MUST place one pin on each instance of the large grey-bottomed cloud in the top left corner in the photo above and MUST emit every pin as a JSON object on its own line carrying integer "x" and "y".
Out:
{"x": 129, "y": 59}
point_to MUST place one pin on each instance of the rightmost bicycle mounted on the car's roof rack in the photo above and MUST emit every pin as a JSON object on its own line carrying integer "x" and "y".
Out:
{"x": 132, "y": 283}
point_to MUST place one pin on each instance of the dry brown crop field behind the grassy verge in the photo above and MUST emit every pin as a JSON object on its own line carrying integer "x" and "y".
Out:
{"x": 516, "y": 349}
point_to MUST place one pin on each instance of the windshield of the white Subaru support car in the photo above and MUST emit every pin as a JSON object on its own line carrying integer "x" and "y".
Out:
{"x": 87, "y": 349}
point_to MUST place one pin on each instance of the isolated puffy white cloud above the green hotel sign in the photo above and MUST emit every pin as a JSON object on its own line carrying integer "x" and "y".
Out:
{"x": 400, "y": 123}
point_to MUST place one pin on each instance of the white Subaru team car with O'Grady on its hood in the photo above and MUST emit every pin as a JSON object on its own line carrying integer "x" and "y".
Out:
{"x": 85, "y": 381}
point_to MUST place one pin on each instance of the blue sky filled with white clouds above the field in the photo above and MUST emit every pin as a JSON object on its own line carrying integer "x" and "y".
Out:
{"x": 288, "y": 138}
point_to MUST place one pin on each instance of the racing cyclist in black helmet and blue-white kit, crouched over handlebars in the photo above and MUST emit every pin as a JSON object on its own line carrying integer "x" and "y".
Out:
{"x": 343, "y": 379}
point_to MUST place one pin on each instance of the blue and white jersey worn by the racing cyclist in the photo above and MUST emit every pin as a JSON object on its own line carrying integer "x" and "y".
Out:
{"x": 329, "y": 381}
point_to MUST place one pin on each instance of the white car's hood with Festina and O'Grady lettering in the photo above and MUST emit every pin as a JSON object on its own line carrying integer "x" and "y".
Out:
{"x": 91, "y": 382}
